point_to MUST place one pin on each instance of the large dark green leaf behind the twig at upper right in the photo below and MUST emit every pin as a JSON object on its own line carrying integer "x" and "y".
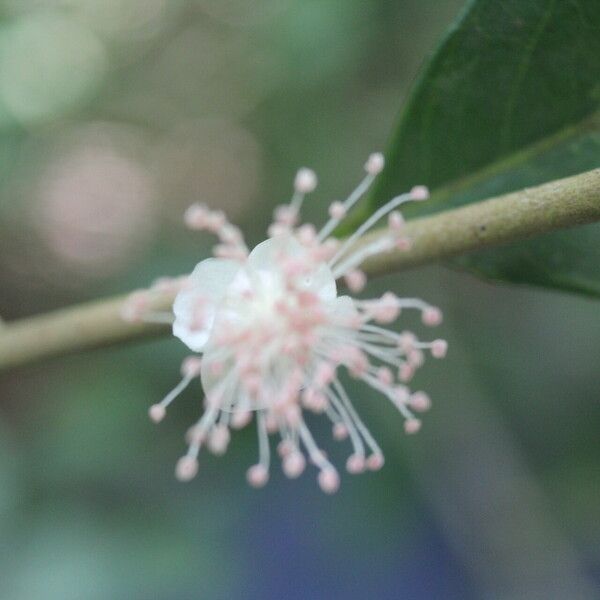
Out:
{"x": 512, "y": 95}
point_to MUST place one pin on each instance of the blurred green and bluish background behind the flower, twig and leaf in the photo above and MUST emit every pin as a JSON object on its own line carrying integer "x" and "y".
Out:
{"x": 117, "y": 114}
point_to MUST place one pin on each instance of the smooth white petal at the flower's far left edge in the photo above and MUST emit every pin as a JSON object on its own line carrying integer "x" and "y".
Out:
{"x": 208, "y": 283}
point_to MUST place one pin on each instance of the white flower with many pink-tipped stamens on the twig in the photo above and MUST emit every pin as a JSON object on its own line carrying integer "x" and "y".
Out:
{"x": 274, "y": 335}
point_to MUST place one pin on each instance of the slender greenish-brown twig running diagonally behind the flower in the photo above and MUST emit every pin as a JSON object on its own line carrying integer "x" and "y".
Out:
{"x": 555, "y": 205}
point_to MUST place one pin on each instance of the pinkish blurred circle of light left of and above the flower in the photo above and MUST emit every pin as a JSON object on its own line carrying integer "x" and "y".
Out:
{"x": 96, "y": 202}
